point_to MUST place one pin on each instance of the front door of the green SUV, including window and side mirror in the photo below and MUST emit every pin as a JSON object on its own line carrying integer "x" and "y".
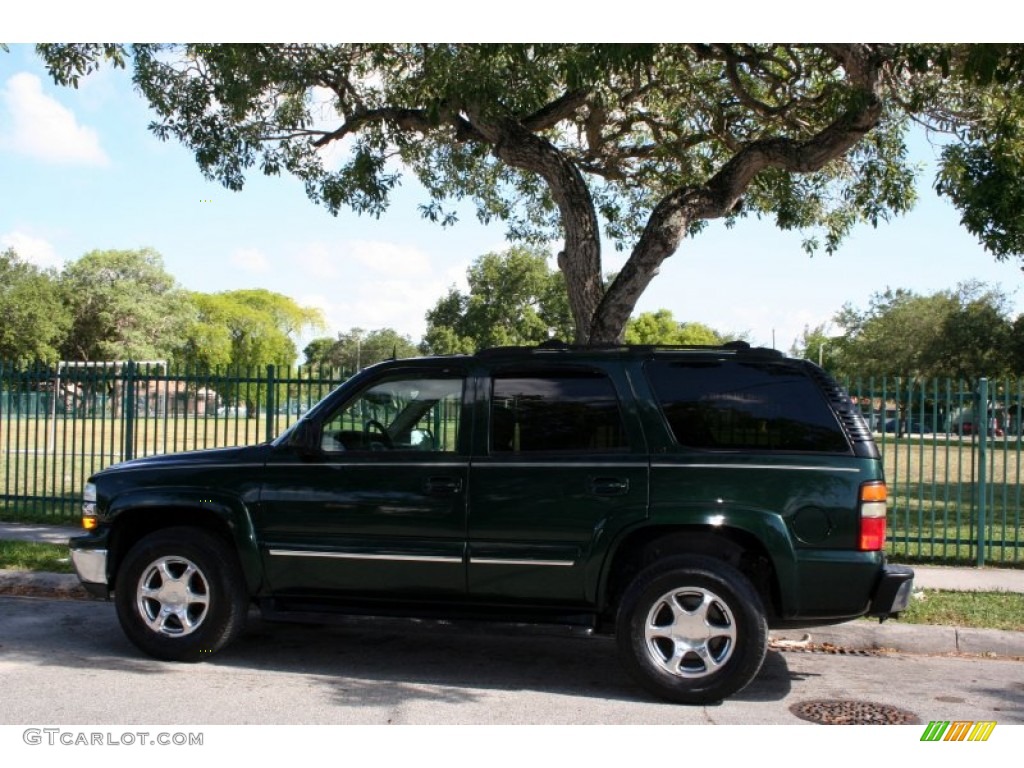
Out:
{"x": 380, "y": 507}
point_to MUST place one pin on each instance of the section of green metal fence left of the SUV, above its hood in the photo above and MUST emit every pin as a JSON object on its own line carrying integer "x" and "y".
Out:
{"x": 61, "y": 424}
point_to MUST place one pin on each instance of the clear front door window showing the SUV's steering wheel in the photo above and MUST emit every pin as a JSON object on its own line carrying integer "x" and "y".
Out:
{"x": 420, "y": 414}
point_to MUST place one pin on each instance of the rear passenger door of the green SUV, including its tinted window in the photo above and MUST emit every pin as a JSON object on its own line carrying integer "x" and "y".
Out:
{"x": 560, "y": 470}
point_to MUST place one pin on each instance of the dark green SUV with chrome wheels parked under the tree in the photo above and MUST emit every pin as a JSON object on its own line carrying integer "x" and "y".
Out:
{"x": 685, "y": 500}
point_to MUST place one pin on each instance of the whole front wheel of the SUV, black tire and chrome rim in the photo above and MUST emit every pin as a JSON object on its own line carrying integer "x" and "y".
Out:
{"x": 181, "y": 595}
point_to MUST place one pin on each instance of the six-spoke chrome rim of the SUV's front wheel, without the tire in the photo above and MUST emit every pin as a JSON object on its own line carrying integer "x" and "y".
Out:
{"x": 174, "y": 596}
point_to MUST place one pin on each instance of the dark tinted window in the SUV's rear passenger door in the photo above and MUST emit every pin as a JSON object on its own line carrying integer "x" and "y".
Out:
{"x": 556, "y": 412}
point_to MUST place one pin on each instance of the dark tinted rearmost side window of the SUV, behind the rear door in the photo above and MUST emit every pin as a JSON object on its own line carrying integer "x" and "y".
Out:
{"x": 733, "y": 405}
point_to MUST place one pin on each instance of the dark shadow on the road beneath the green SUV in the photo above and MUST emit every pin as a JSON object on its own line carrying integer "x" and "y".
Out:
{"x": 362, "y": 655}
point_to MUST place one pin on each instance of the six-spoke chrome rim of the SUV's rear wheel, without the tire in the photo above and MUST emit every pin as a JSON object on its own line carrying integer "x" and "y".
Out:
{"x": 691, "y": 632}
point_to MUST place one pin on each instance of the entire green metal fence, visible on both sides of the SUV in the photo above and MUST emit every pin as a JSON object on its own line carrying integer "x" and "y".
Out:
{"x": 952, "y": 451}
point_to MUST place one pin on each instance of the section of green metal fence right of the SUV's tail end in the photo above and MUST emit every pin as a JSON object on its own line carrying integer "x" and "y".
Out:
{"x": 953, "y": 458}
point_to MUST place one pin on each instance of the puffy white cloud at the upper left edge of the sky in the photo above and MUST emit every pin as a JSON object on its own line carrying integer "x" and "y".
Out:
{"x": 39, "y": 126}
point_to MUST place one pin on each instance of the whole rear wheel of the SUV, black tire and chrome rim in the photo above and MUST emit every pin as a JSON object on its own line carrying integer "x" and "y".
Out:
{"x": 692, "y": 630}
